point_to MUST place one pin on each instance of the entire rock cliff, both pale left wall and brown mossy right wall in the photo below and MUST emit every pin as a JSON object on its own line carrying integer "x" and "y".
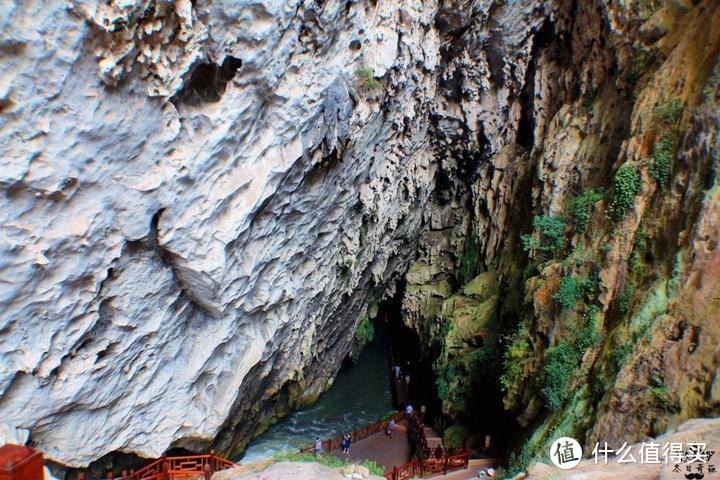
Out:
{"x": 202, "y": 199}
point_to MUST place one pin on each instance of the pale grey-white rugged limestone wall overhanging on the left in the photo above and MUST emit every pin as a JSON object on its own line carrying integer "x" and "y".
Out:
{"x": 199, "y": 198}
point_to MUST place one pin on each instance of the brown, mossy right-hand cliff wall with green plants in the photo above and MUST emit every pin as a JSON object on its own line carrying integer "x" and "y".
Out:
{"x": 582, "y": 294}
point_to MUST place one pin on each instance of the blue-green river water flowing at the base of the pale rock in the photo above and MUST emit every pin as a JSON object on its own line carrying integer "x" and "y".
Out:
{"x": 359, "y": 396}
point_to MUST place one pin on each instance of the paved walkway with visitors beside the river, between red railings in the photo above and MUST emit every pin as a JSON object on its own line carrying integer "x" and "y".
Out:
{"x": 385, "y": 451}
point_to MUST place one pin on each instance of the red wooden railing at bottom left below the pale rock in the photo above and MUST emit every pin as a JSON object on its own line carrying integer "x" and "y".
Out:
{"x": 172, "y": 468}
